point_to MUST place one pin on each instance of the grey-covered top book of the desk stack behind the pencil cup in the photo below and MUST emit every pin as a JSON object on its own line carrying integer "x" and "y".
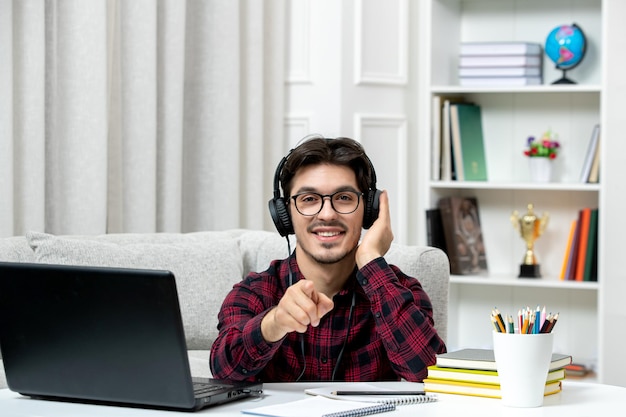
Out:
{"x": 484, "y": 359}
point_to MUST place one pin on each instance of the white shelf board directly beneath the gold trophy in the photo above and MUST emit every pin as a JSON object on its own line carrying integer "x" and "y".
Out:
{"x": 522, "y": 282}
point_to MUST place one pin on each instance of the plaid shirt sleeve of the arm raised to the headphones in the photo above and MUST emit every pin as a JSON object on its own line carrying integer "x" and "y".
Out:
{"x": 404, "y": 318}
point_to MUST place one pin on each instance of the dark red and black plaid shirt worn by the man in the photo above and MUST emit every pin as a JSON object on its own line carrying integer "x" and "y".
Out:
{"x": 391, "y": 335}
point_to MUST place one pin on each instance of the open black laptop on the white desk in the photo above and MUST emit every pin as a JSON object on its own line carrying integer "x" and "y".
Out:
{"x": 104, "y": 335}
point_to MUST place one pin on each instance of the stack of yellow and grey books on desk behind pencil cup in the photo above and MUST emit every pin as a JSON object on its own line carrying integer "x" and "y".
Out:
{"x": 473, "y": 372}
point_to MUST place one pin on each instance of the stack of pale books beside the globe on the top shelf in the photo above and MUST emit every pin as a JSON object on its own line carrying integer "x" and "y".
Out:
{"x": 500, "y": 63}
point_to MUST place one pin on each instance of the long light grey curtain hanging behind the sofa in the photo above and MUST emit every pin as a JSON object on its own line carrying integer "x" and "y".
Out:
{"x": 139, "y": 116}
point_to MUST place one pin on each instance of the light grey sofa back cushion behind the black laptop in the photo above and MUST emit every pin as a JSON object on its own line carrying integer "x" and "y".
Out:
{"x": 202, "y": 282}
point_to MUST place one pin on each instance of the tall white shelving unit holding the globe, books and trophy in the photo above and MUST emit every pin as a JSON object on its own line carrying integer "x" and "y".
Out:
{"x": 510, "y": 115}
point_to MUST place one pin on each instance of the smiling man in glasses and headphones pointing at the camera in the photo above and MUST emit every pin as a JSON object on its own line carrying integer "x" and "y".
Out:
{"x": 334, "y": 309}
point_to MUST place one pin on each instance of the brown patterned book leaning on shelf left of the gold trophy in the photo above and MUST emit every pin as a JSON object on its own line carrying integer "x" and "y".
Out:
{"x": 463, "y": 234}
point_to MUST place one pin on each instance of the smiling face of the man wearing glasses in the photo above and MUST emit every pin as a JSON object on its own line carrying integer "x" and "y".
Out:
{"x": 327, "y": 237}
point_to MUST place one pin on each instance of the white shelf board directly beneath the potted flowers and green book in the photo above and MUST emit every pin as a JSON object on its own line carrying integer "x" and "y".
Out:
{"x": 492, "y": 185}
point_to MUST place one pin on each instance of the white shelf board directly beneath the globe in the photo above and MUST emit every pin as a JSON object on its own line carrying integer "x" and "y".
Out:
{"x": 541, "y": 89}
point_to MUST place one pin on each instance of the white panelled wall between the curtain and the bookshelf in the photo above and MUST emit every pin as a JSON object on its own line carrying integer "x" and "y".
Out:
{"x": 349, "y": 74}
